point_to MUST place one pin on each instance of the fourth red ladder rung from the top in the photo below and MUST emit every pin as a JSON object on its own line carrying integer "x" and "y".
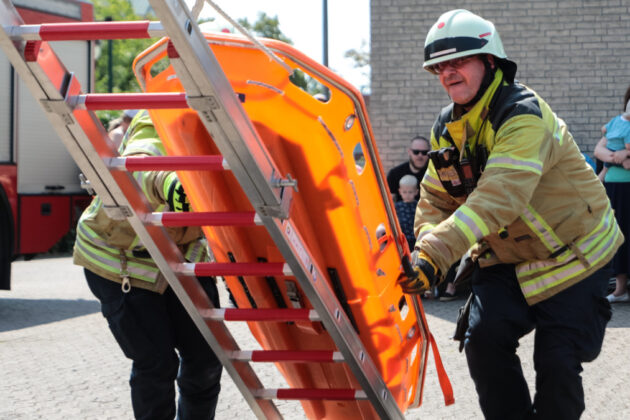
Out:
{"x": 173, "y": 219}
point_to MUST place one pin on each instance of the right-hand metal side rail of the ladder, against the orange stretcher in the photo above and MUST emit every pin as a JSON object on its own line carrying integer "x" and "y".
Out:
{"x": 225, "y": 119}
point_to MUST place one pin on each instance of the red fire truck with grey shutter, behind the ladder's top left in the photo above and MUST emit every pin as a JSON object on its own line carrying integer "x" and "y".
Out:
{"x": 40, "y": 192}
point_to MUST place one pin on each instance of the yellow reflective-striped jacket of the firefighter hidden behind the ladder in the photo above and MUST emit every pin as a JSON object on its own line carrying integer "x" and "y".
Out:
{"x": 111, "y": 248}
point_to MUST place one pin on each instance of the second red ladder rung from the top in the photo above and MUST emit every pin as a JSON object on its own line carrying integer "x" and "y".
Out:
{"x": 109, "y": 101}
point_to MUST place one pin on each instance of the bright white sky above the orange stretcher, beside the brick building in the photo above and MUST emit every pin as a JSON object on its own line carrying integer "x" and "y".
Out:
{"x": 301, "y": 21}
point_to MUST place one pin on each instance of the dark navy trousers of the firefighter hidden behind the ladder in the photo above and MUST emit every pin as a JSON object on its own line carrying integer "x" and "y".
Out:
{"x": 158, "y": 335}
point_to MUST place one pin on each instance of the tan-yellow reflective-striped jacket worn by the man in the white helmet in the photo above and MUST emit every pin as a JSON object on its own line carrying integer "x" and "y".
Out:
{"x": 537, "y": 204}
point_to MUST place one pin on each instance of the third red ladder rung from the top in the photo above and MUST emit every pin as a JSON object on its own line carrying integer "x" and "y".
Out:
{"x": 169, "y": 163}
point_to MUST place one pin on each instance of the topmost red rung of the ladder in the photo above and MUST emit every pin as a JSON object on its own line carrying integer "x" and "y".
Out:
{"x": 84, "y": 31}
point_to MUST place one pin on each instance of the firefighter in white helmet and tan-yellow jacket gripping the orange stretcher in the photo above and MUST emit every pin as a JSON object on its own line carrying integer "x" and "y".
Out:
{"x": 507, "y": 183}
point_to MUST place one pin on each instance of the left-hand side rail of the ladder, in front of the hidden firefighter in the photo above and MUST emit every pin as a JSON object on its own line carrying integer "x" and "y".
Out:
{"x": 120, "y": 191}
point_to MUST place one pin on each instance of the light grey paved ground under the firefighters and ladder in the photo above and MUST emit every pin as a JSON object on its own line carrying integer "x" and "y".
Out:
{"x": 59, "y": 361}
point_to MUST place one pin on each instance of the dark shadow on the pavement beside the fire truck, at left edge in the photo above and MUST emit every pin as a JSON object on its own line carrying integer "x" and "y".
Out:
{"x": 16, "y": 314}
